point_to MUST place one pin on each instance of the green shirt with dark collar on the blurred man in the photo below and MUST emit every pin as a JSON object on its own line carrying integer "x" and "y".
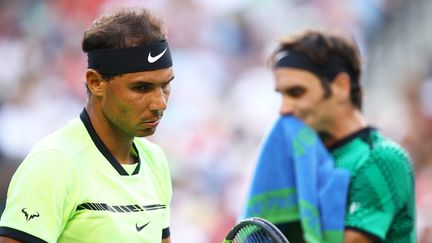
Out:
{"x": 381, "y": 195}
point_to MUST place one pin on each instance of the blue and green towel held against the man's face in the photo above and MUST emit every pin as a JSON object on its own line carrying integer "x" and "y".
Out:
{"x": 295, "y": 180}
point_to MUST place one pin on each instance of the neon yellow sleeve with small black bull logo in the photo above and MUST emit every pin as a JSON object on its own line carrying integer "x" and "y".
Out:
{"x": 40, "y": 199}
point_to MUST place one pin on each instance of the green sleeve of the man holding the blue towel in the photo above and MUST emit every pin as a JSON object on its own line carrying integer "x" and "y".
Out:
{"x": 378, "y": 190}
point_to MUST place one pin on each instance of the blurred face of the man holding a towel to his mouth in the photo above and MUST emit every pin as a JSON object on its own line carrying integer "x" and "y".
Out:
{"x": 303, "y": 96}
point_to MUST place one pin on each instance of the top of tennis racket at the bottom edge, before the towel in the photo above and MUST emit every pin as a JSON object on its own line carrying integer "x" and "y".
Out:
{"x": 255, "y": 230}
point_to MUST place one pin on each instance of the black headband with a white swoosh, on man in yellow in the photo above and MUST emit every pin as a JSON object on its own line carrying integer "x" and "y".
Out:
{"x": 147, "y": 57}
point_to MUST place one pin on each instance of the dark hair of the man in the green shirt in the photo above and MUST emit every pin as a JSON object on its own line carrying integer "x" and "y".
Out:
{"x": 321, "y": 48}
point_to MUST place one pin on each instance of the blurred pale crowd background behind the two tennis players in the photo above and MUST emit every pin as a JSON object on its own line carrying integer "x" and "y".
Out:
{"x": 222, "y": 99}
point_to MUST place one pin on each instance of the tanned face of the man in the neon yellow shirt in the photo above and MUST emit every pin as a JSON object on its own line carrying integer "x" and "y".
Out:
{"x": 133, "y": 103}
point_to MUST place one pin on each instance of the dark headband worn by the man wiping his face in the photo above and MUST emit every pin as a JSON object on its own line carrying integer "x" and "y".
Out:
{"x": 296, "y": 59}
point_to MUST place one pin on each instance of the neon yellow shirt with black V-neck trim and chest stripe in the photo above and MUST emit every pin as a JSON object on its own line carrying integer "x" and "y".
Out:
{"x": 71, "y": 189}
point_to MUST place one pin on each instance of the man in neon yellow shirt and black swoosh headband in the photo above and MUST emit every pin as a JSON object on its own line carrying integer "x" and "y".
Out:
{"x": 97, "y": 179}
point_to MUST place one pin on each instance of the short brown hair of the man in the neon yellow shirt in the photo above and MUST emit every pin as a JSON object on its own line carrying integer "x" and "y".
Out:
{"x": 127, "y": 27}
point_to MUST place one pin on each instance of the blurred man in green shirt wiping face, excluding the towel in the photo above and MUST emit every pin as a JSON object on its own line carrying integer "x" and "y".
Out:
{"x": 318, "y": 77}
